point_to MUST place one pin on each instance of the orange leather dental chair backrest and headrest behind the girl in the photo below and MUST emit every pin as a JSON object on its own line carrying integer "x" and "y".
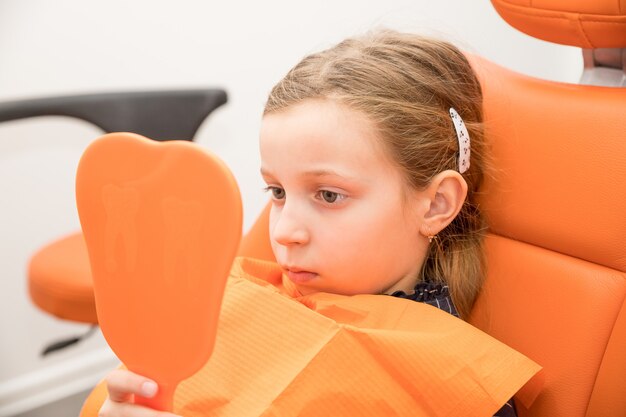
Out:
{"x": 556, "y": 206}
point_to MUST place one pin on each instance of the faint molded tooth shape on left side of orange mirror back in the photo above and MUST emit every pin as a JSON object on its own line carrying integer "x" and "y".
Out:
{"x": 121, "y": 205}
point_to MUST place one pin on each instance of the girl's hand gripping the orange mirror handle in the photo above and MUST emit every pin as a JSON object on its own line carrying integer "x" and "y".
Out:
{"x": 123, "y": 385}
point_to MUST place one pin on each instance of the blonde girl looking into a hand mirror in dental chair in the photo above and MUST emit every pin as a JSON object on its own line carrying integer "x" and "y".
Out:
{"x": 365, "y": 150}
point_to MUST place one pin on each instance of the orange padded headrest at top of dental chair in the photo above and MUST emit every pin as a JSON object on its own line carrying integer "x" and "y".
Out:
{"x": 582, "y": 23}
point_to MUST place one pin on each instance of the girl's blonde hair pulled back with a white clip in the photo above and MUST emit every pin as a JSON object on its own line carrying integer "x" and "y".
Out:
{"x": 406, "y": 85}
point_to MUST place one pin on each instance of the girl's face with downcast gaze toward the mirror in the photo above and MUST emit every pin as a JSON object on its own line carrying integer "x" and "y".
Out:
{"x": 342, "y": 220}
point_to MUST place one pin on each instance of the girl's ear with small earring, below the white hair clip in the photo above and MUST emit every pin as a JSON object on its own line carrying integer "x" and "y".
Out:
{"x": 446, "y": 195}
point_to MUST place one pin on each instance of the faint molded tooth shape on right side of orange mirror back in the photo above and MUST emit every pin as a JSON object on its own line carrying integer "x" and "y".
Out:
{"x": 182, "y": 246}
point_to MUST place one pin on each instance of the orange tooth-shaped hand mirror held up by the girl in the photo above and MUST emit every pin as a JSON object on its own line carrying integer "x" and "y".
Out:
{"x": 162, "y": 223}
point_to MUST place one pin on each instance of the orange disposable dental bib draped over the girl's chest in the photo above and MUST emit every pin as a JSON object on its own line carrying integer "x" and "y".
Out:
{"x": 332, "y": 355}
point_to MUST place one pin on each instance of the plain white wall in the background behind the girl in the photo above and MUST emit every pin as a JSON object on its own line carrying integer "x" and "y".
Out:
{"x": 75, "y": 46}
